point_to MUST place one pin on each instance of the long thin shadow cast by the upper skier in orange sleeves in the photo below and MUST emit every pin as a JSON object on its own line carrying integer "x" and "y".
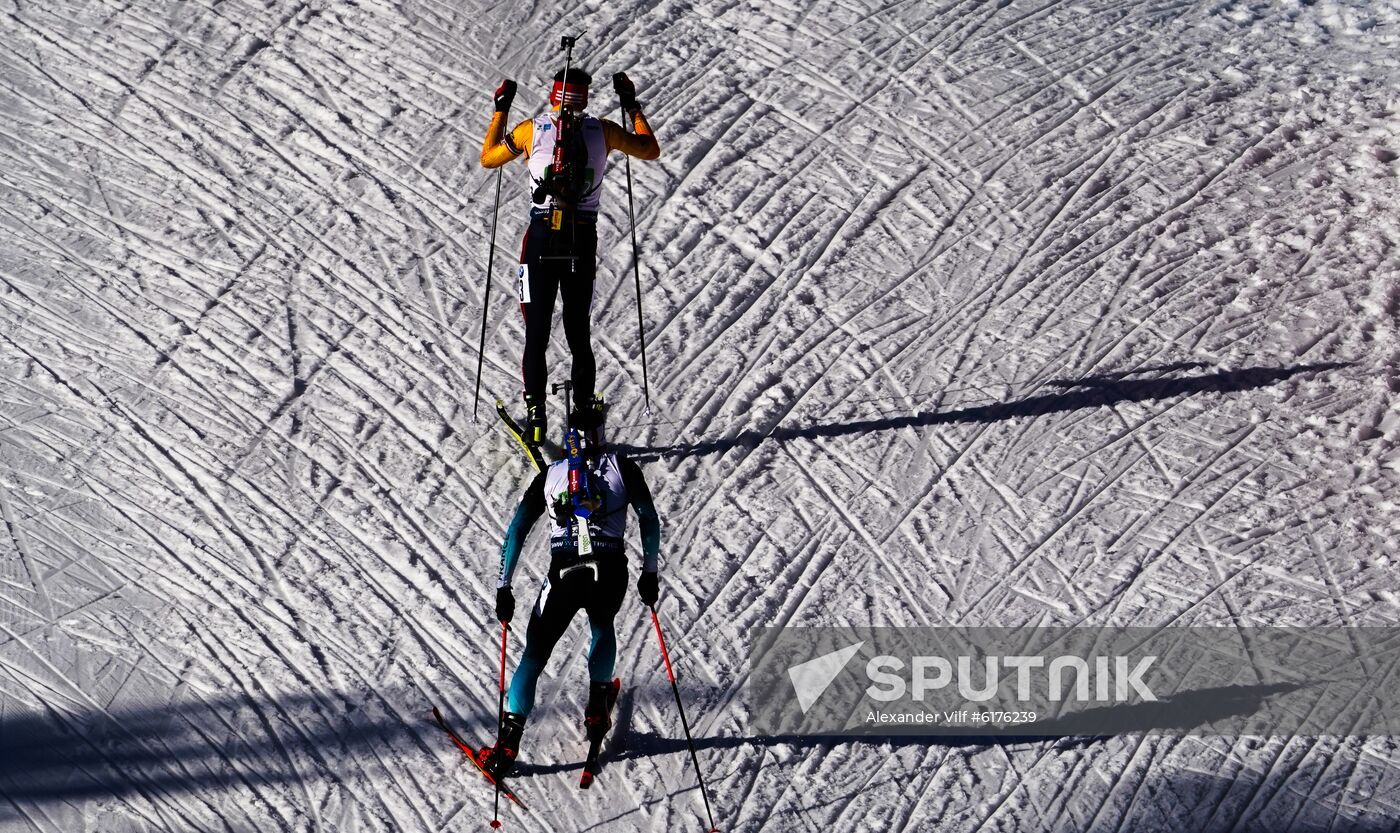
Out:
{"x": 1076, "y": 394}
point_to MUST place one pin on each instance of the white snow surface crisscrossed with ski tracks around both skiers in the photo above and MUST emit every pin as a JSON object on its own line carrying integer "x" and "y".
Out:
{"x": 1018, "y": 313}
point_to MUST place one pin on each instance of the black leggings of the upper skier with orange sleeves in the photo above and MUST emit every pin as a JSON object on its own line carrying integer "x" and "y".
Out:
{"x": 545, "y": 274}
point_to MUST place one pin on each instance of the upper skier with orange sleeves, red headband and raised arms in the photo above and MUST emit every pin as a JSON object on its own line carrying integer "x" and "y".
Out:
{"x": 566, "y": 155}
